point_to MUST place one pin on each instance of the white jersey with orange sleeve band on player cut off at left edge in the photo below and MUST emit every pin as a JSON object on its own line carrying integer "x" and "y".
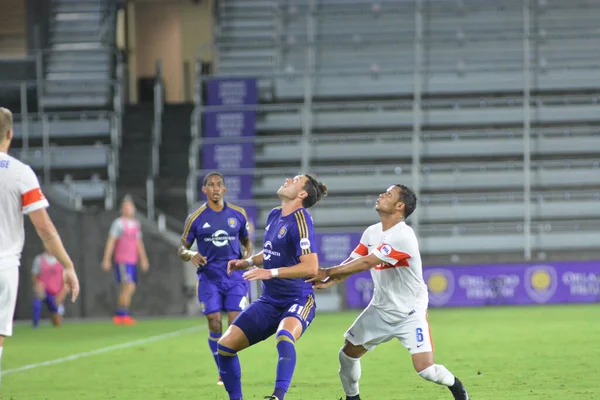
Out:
{"x": 20, "y": 194}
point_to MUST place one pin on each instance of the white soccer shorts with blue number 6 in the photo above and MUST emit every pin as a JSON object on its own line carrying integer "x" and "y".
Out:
{"x": 370, "y": 330}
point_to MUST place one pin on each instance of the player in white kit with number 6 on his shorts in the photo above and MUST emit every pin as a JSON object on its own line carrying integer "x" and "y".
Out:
{"x": 399, "y": 306}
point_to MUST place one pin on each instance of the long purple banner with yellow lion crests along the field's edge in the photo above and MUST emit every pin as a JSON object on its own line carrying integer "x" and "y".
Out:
{"x": 486, "y": 285}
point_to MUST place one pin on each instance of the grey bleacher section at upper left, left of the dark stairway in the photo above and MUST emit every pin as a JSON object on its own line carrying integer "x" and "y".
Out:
{"x": 71, "y": 135}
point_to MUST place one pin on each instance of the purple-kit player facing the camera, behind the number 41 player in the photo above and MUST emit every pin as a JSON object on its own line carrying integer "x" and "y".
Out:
{"x": 218, "y": 228}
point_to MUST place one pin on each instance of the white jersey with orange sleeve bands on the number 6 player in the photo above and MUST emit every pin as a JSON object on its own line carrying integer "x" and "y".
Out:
{"x": 398, "y": 280}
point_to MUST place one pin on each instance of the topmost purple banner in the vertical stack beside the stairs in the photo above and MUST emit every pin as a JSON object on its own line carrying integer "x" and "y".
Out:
{"x": 232, "y": 91}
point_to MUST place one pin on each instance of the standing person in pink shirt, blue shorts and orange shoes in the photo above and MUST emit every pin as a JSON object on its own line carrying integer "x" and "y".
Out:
{"x": 125, "y": 240}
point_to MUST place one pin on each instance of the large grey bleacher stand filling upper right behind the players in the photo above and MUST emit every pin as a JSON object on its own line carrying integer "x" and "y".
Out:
{"x": 352, "y": 63}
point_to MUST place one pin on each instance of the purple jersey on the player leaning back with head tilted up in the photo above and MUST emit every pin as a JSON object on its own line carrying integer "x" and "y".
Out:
{"x": 285, "y": 240}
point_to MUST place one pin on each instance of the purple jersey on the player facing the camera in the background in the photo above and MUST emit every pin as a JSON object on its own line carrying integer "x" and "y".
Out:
{"x": 217, "y": 234}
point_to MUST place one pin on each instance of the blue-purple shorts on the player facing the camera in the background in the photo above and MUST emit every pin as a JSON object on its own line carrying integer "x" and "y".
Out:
{"x": 221, "y": 296}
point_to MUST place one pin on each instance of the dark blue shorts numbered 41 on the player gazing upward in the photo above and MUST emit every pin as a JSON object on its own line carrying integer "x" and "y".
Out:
{"x": 261, "y": 319}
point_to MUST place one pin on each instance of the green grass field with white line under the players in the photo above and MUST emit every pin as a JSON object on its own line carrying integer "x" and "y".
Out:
{"x": 499, "y": 353}
